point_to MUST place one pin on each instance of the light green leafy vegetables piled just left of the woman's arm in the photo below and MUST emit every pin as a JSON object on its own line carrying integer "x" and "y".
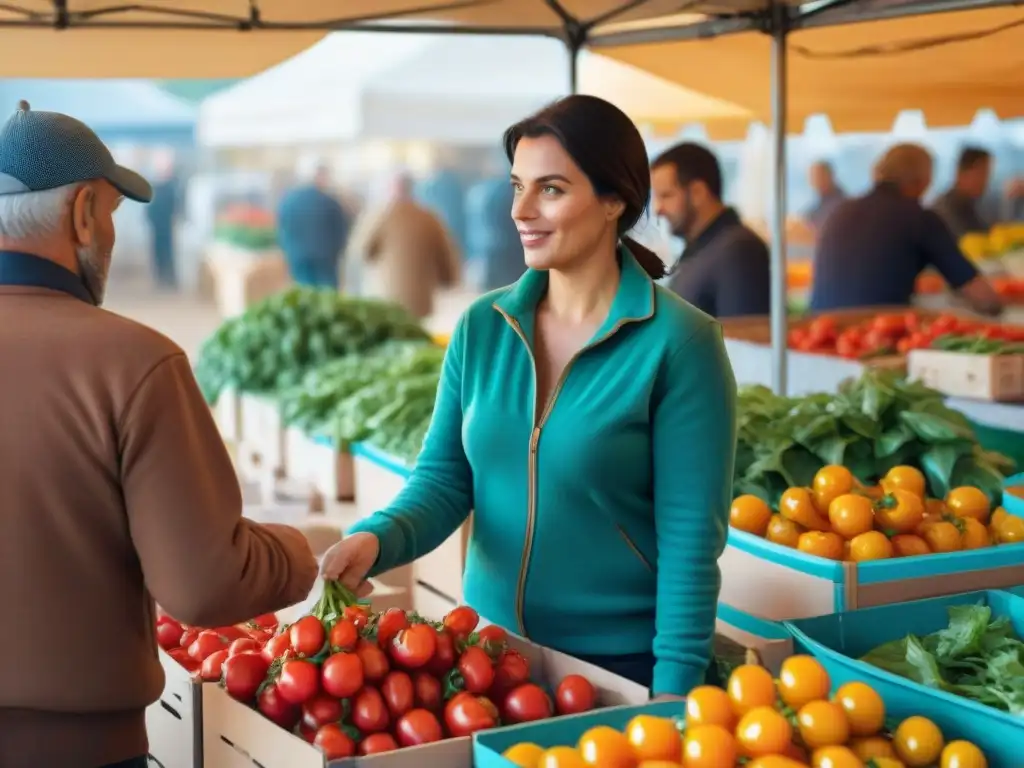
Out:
{"x": 385, "y": 398}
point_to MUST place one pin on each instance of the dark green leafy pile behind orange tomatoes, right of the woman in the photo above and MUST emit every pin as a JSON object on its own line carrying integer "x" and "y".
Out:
{"x": 872, "y": 425}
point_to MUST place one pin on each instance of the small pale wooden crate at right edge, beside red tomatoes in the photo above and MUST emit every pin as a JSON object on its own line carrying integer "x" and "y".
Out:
{"x": 985, "y": 377}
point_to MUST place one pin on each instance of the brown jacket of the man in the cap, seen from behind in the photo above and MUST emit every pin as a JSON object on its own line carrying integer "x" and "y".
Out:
{"x": 115, "y": 489}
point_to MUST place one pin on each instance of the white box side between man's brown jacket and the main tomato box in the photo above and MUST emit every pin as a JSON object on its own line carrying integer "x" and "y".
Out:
{"x": 175, "y": 722}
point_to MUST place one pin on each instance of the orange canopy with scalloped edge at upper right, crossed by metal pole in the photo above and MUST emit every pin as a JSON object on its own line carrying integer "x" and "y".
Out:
{"x": 862, "y": 75}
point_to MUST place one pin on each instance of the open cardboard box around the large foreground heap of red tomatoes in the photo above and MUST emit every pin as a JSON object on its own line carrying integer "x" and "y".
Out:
{"x": 237, "y": 737}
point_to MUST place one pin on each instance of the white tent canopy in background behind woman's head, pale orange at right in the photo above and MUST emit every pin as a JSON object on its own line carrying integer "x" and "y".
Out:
{"x": 459, "y": 90}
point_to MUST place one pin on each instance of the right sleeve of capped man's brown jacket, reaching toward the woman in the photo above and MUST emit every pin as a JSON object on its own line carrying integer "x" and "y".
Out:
{"x": 203, "y": 563}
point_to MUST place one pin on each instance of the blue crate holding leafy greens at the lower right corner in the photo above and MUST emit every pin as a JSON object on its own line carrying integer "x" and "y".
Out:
{"x": 840, "y": 641}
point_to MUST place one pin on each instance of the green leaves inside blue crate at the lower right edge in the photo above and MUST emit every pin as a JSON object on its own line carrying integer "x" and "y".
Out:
{"x": 975, "y": 657}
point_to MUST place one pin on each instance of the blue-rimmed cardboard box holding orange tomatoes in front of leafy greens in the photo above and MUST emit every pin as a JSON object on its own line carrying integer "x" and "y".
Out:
{"x": 774, "y": 582}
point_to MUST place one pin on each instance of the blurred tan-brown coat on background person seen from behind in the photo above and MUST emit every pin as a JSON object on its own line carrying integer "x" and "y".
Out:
{"x": 405, "y": 255}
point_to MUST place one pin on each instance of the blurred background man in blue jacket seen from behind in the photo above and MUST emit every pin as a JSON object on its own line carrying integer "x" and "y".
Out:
{"x": 313, "y": 231}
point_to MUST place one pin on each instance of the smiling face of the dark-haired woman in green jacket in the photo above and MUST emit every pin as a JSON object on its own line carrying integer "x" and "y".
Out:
{"x": 562, "y": 222}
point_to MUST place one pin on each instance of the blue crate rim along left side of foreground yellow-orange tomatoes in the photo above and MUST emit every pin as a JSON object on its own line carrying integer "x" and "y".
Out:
{"x": 489, "y": 746}
